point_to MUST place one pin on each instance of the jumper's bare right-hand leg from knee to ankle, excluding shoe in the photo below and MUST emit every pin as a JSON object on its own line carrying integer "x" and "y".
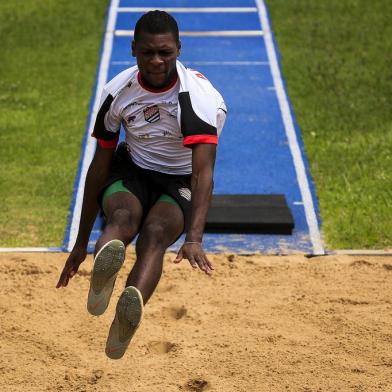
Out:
{"x": 162, "y": 227}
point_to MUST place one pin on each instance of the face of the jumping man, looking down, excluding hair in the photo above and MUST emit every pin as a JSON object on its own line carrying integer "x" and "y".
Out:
{"x": 156, "y": 56}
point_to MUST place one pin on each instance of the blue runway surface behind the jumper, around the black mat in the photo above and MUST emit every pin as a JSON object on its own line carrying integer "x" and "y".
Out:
{"x": 253, "y": 154}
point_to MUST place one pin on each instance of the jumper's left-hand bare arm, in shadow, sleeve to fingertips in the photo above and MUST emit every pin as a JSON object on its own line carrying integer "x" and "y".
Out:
{"x": 97, "y": 174}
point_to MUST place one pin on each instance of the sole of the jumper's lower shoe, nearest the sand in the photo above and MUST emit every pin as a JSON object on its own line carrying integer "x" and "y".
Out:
{"x": 129, "y": 314}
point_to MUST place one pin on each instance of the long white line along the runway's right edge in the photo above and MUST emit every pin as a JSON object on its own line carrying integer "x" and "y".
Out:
{"x": 310, "y": 213}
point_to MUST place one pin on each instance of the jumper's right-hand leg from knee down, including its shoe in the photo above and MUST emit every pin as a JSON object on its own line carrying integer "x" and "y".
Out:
{"x": 164, "y": 223}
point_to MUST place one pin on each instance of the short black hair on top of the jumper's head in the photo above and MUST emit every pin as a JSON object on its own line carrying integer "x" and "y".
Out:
{"x": 156, "y": 22}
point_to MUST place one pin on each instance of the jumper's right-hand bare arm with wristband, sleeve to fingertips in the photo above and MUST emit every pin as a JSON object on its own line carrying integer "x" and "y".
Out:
{"x": 203, "y": 161}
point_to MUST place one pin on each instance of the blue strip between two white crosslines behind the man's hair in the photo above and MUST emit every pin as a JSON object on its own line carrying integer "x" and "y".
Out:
{"x": 199, "y": 21}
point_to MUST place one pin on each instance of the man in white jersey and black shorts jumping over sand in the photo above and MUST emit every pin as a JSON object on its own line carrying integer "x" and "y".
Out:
{"x": 158, "y": 183}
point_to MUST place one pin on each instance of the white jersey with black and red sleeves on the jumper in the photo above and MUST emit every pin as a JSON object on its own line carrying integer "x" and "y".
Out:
{"x": 160, "y": 124}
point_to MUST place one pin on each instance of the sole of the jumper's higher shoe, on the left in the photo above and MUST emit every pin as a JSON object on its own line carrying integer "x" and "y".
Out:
{"x": 107, "y": 264}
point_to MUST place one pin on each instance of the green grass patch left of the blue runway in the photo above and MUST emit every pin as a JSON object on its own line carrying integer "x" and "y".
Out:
{"x": 49, "y": 52}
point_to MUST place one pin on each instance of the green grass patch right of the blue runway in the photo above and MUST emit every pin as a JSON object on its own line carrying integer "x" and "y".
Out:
{"x": 337, "y": 62}
